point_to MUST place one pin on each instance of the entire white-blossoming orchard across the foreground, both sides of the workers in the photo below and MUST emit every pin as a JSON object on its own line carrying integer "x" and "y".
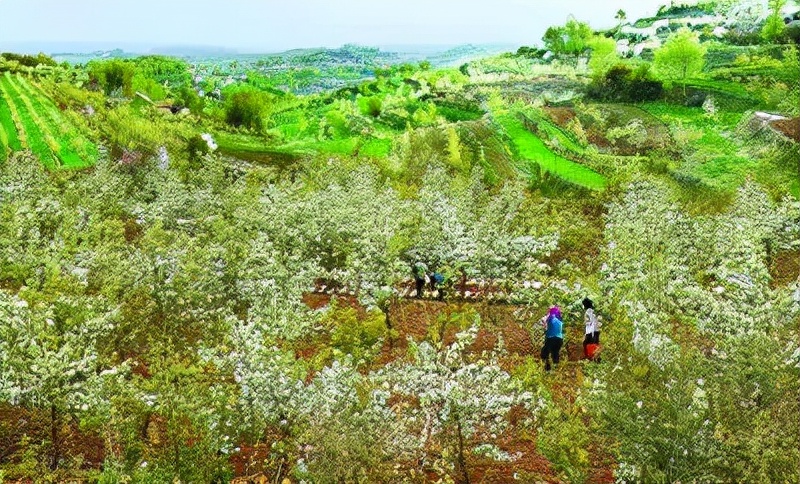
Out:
{"x": 164, "y": 316}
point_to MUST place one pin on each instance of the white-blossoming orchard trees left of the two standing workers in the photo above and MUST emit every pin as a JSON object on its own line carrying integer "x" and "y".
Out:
{"x": 164, "y": 317}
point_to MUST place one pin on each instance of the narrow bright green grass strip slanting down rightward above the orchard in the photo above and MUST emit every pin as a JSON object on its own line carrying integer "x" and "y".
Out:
{"x": 533, "y": 150}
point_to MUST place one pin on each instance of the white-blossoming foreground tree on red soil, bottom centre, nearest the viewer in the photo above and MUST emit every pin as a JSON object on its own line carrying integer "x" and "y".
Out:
{"x": 451, "y": 400}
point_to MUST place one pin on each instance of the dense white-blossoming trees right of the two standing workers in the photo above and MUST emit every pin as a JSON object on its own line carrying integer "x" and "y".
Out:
{"x": 704, "y": 329}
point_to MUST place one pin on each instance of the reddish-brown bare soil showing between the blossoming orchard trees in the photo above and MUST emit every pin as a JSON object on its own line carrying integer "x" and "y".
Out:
{"x": 418, "y": 319}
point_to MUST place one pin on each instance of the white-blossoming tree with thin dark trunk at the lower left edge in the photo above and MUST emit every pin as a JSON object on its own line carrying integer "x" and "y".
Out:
{"x": 48, "y": 361}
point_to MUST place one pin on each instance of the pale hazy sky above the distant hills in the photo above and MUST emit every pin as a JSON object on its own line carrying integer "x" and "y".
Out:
{"x": 274, "y": 25}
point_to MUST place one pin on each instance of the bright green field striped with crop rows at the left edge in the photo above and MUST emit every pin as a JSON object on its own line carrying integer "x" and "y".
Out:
{"x": 30, "y": 120}
